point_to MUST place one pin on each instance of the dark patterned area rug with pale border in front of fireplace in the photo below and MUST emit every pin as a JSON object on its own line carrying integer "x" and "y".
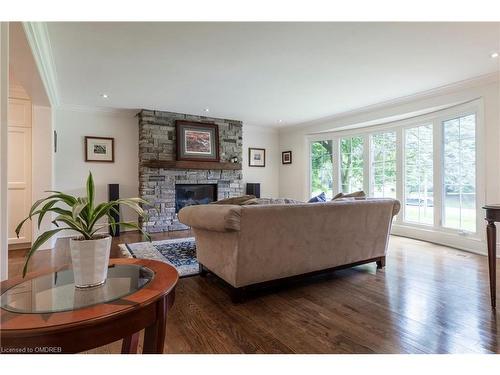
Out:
{"x": 180, "y": 253}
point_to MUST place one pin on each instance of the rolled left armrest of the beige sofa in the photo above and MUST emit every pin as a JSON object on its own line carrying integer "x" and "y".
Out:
{"x": 214, "y": 217}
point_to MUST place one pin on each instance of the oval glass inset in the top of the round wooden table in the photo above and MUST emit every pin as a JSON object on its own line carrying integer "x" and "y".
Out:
{"x": 56, "y": 292}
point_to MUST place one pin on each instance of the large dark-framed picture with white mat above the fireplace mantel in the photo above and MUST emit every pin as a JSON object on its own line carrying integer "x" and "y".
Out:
{"x": 197, "y": 141}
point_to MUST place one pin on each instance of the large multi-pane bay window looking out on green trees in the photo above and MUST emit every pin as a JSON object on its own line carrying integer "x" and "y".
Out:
{"x": 429, "y": 163}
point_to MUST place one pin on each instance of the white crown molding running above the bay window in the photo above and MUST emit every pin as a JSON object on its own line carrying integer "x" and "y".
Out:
{"x": 484, "y": 79}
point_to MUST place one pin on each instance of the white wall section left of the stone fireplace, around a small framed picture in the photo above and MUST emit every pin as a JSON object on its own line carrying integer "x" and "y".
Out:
{"x": 71, "y": 170}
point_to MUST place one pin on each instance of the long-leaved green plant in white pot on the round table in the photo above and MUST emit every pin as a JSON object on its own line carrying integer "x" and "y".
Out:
{"x": 90, "y": 249}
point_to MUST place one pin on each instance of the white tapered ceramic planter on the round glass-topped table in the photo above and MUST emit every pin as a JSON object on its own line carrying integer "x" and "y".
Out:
{"x": 90, "y": 261}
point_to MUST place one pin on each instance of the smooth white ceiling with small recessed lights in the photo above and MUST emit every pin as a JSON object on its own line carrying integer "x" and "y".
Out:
{"x": 261, "y": 73}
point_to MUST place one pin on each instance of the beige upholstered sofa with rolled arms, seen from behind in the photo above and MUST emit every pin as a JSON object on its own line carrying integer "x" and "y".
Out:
{"x": 247, "y": 245}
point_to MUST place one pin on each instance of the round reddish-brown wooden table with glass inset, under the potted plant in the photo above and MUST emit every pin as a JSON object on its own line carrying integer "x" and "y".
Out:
{"x": 45, "y": 313}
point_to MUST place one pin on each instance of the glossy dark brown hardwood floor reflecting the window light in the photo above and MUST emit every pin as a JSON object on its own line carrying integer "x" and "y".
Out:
{"x": 428, "y": 299}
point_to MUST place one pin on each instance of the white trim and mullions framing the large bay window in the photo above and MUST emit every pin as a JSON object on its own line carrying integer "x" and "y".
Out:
{"x": 435, "y": 233}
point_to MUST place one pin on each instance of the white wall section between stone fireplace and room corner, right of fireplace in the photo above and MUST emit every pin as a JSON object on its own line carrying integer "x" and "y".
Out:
{"x": 268, "y": 177}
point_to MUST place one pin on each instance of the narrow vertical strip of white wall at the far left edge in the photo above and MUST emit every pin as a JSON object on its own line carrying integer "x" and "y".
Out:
{"x": 4, "y": 94}
